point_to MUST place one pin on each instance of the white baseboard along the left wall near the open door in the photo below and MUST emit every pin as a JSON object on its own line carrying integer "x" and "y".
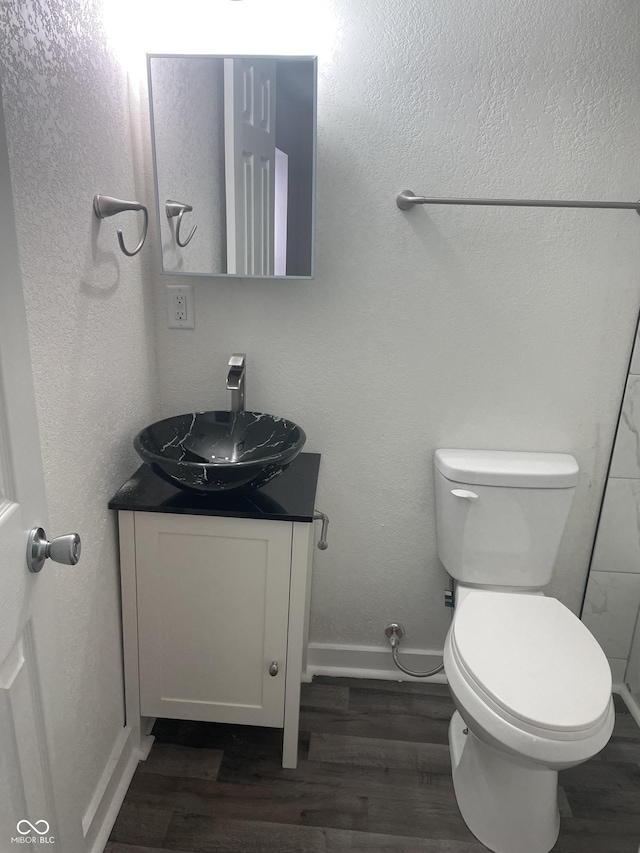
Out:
{"x": 111, "y": 789}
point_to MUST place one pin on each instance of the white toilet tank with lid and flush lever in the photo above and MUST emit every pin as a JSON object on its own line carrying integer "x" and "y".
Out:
{"x": 500, "y": 514}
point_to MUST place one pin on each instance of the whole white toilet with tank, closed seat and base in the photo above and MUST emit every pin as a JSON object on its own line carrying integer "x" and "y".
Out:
{"x": 531, "y": 685}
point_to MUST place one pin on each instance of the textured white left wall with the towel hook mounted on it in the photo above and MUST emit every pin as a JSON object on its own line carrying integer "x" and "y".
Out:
{"x": 65, "y": 99}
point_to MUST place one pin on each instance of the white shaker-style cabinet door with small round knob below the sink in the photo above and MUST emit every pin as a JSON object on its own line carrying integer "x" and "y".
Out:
{"x": 213, "y": 603}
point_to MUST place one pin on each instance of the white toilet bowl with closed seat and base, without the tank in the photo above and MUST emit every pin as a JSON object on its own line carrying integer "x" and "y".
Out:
{"x": 533, "y": 693}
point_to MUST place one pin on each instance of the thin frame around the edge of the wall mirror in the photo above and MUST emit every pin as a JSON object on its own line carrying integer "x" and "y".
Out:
{"x": 314, "y": 156}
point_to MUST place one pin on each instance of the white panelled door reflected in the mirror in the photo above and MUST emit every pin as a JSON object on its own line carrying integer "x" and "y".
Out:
{"x": 249, "y": 155}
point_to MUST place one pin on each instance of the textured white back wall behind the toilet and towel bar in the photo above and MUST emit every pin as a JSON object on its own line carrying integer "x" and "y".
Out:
{"x": 488, "y": 328}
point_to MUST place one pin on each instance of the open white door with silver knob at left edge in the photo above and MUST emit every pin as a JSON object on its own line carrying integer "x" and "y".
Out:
{"x": 29, "y": 682}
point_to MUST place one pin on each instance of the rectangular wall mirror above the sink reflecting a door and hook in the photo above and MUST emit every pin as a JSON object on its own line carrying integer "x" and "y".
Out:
{"x": 234, "y": 150}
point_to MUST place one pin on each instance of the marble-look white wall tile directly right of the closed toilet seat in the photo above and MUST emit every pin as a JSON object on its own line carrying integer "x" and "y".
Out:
{"x": 611, "y": 609}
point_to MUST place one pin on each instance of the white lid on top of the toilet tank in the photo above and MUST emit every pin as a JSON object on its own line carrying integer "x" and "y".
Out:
{"x": 508, "y": 468}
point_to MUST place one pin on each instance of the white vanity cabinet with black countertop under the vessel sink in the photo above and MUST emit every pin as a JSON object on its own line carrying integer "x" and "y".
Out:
{"x": 215, "y": 613}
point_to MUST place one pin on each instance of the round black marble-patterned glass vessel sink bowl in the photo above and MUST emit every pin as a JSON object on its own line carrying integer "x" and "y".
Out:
{"x": 220, "y": 451}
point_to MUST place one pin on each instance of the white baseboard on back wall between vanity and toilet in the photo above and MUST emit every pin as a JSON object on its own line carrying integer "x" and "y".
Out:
{"x": 369, "y": 662}
